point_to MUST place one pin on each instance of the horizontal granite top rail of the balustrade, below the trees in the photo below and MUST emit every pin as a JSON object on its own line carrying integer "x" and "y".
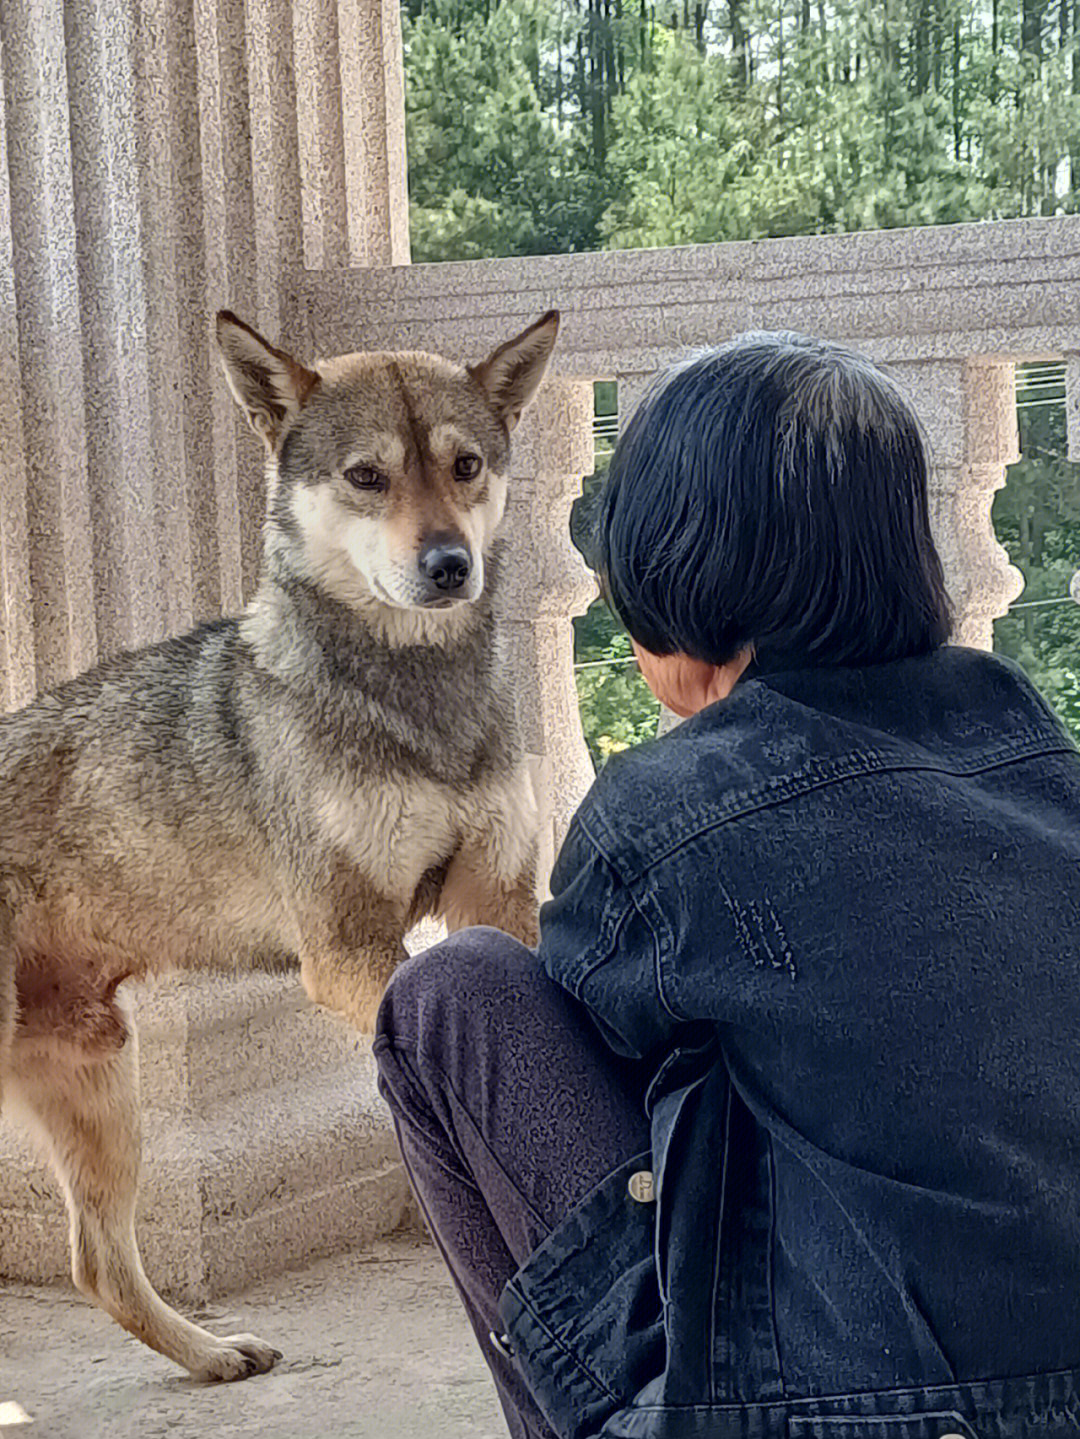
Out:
{"x": 1009, "y": 289}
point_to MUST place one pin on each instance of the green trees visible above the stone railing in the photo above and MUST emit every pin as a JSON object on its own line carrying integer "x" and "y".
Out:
{"x": 541, "y": 126}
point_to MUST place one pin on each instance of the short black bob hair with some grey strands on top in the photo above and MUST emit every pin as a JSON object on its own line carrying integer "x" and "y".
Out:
{"x": 773, "y": 494}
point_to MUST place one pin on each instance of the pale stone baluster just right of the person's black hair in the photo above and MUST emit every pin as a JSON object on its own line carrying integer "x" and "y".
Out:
{"x": 970, "y": 412}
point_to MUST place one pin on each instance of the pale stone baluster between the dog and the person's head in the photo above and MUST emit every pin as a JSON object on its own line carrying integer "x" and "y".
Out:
{"x": 547, "y": 582}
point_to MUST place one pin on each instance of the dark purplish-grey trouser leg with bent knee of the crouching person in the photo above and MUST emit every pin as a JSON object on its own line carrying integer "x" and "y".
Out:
{"x": 508, "y": 1109}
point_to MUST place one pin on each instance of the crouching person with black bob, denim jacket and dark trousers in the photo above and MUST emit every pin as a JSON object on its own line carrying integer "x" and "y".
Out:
{"x": 777, "y": 1136}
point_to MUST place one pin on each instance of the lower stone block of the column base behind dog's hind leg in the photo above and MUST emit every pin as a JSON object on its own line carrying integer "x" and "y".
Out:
{"x": 258, "y": 1184}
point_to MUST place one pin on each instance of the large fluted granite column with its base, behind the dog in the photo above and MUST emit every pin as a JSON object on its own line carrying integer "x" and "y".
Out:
{"x": 159, "y": 162}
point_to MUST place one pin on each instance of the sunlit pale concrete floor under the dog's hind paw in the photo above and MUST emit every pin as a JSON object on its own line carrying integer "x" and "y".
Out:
{"x": 376, "y": 1348}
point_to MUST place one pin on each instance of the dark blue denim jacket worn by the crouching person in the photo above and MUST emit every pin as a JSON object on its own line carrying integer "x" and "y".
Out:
{"x": 839, "y": 916}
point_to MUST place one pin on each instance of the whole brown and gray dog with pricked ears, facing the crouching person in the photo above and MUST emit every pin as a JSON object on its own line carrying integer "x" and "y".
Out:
{"x": 300, "y": 784}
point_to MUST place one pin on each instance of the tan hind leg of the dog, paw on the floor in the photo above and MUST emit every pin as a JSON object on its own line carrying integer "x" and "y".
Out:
{"x": 84, "y": 1109}
